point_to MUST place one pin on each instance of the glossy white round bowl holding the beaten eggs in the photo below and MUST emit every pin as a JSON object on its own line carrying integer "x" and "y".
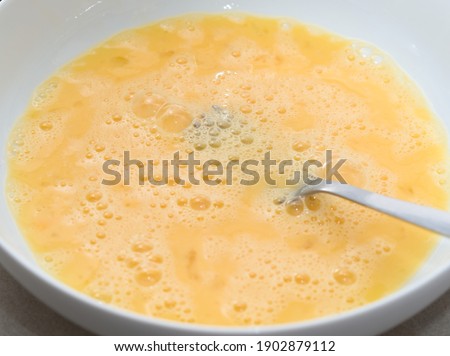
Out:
{"x": 37, "y": 37}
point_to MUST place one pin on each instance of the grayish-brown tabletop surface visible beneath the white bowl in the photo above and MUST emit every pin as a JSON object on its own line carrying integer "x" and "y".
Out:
{"x": 22, "y": 314}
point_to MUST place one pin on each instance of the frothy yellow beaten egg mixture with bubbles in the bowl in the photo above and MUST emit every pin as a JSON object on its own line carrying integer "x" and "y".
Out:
{"x": 225, "y": 87}
